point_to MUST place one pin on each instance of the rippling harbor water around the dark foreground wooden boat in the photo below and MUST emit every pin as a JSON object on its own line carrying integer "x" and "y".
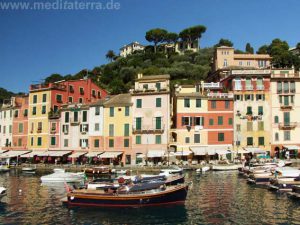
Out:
{"x": 214, "y": 198}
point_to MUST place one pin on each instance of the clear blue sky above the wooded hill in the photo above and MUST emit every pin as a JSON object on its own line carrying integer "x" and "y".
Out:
{"x": 37, "y": 43}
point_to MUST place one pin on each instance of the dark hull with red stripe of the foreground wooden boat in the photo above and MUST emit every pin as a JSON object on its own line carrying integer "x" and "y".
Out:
{"x": 175, "y": 195}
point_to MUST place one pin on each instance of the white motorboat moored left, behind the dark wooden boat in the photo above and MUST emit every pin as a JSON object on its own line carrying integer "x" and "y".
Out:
{"x": 60, "y": 176}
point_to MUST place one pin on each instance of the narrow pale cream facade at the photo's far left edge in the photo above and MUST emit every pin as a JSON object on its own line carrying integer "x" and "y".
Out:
{"x": 6, "y": 122}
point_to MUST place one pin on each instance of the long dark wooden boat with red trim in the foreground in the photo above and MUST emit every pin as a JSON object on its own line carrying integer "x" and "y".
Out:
{"x": 129, "y": 196}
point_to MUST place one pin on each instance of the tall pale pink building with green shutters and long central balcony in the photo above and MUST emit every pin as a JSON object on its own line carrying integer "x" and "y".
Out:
{"x": 150, "y": 117}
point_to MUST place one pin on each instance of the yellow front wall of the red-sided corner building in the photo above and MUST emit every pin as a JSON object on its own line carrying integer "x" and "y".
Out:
{"x": 38, "y": 123}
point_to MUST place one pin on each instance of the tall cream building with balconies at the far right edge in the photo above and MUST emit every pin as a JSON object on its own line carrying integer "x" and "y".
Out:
{"x": 285, "y": 96}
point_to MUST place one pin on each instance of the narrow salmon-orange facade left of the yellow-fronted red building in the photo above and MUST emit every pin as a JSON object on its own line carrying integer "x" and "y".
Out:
{"x": 20, "y": 123}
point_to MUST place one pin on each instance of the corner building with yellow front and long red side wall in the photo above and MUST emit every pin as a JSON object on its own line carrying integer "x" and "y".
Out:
{"x": 45, "y": 101}
